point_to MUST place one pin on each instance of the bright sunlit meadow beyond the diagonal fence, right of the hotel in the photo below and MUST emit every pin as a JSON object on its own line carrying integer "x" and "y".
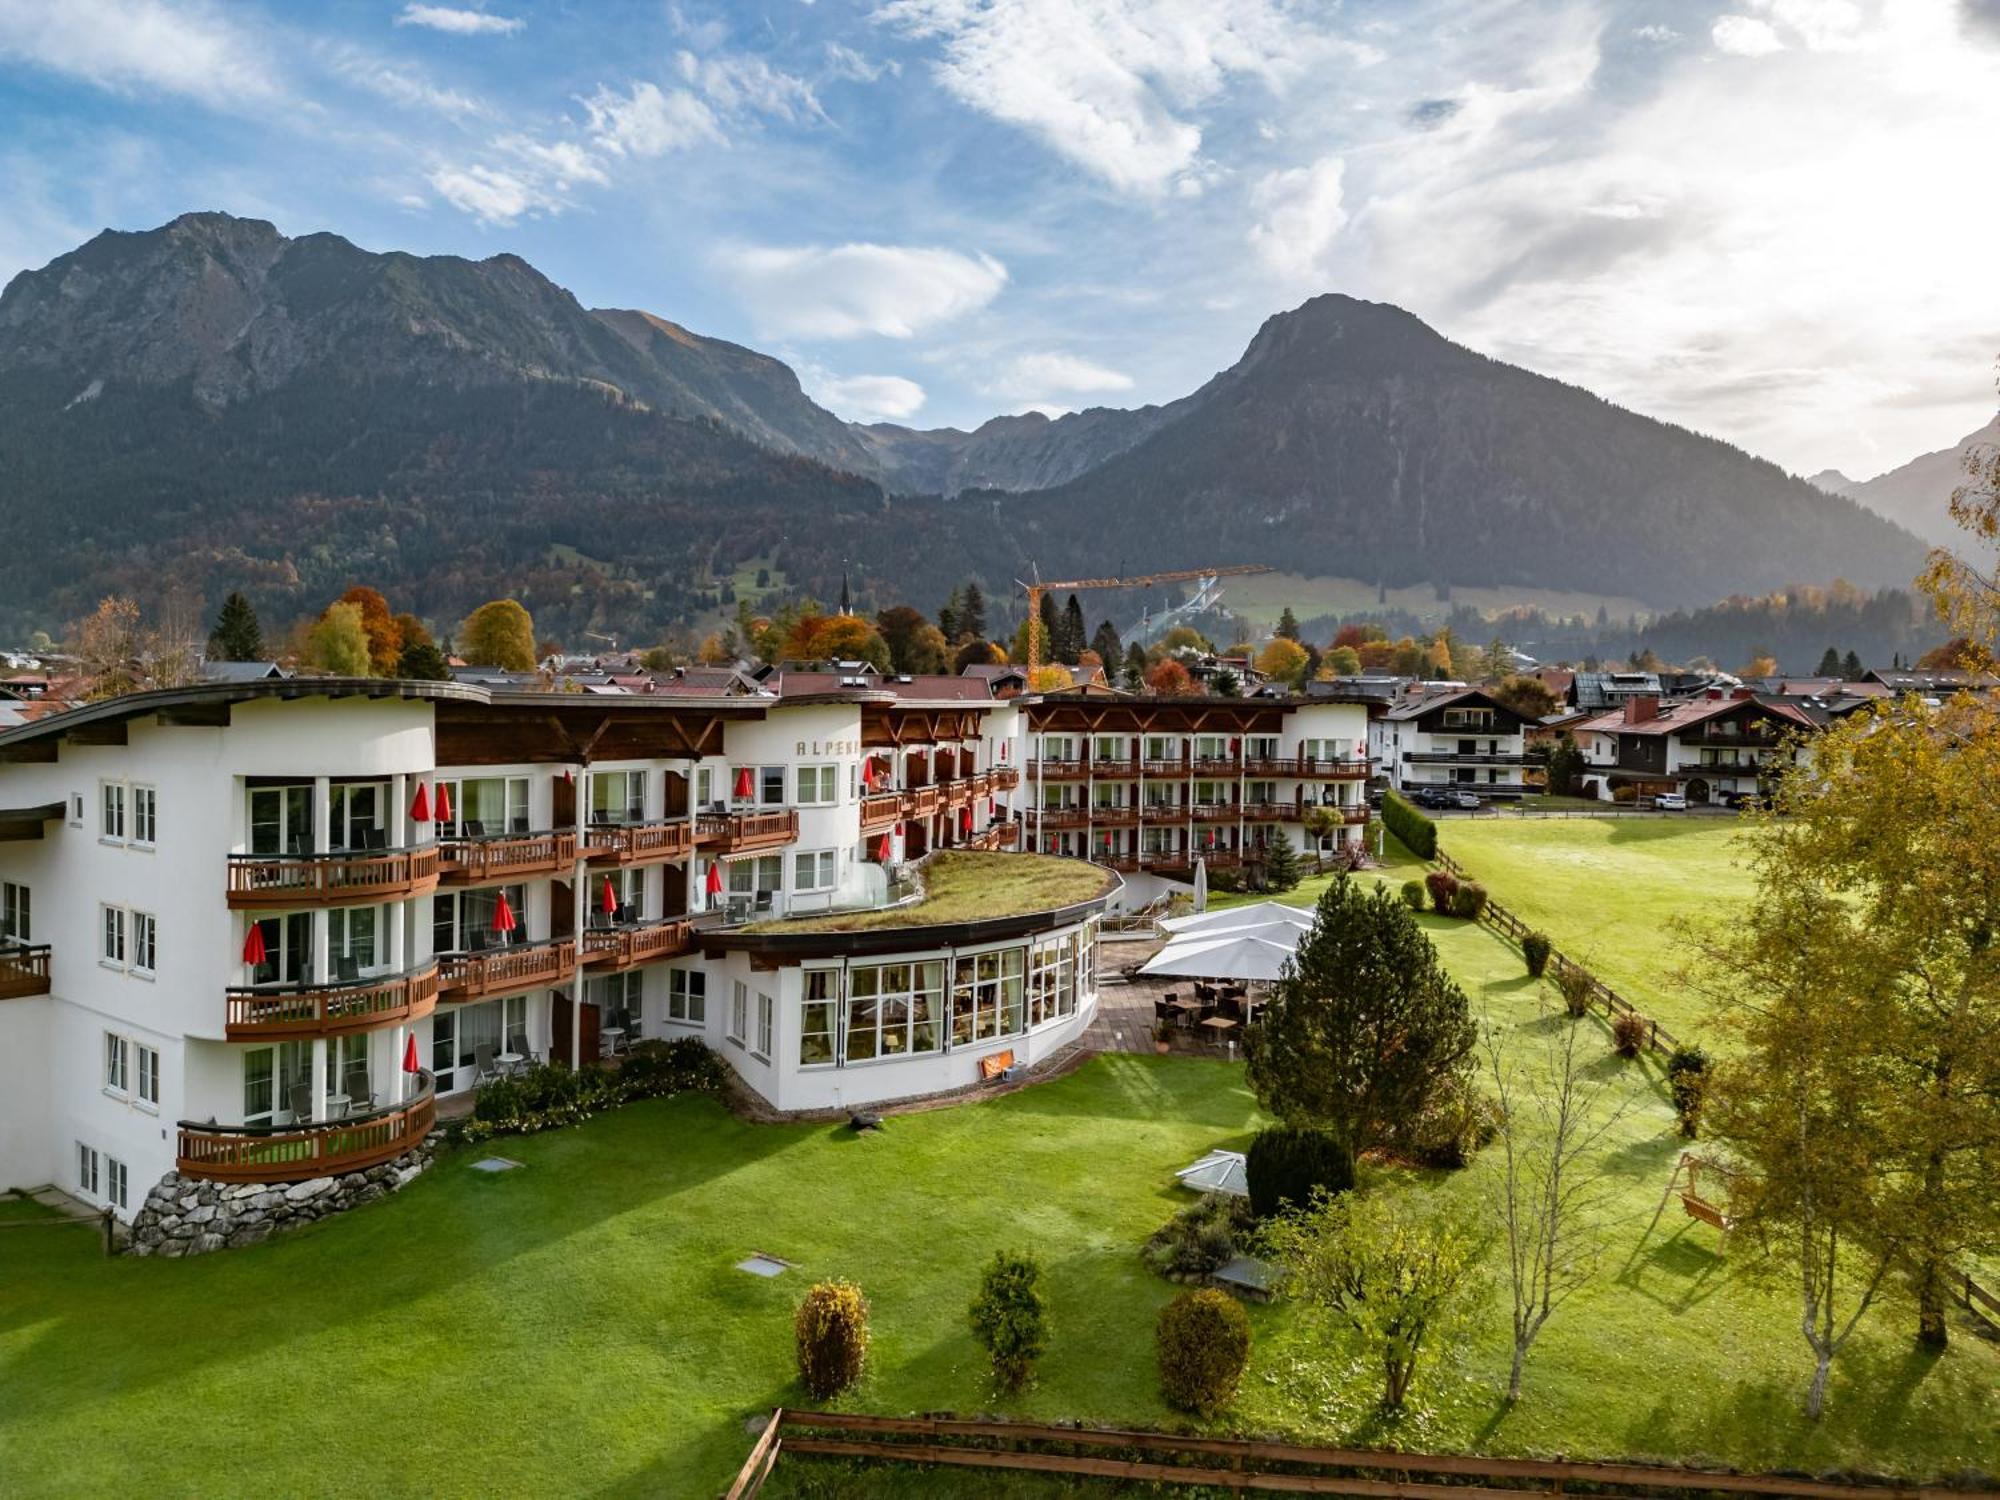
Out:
{"x": 1611, "y": 891}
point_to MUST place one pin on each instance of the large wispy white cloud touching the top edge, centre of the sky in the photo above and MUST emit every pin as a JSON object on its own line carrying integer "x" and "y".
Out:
{"x": 1115, "y": 85}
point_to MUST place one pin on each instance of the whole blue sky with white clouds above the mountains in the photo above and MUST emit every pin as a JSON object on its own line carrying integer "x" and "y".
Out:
{"x": 1763, "y": 219}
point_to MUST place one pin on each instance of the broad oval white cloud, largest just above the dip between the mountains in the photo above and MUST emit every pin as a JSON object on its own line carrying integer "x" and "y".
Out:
{"x": 849, "y": 291}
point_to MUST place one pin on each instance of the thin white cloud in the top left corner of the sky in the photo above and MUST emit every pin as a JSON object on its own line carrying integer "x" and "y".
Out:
{"x": 143, "y": 47}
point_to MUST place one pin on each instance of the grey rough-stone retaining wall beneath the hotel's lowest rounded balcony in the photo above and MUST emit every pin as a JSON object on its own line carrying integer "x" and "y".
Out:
{"x": 187, "y": 1217}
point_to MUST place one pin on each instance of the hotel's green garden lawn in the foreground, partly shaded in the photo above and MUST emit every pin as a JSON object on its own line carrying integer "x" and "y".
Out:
{"x": 579, "y": 1327}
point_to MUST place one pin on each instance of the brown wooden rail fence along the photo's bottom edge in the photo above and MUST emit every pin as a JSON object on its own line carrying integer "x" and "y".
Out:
{"x": 1243, "y": 1465}
